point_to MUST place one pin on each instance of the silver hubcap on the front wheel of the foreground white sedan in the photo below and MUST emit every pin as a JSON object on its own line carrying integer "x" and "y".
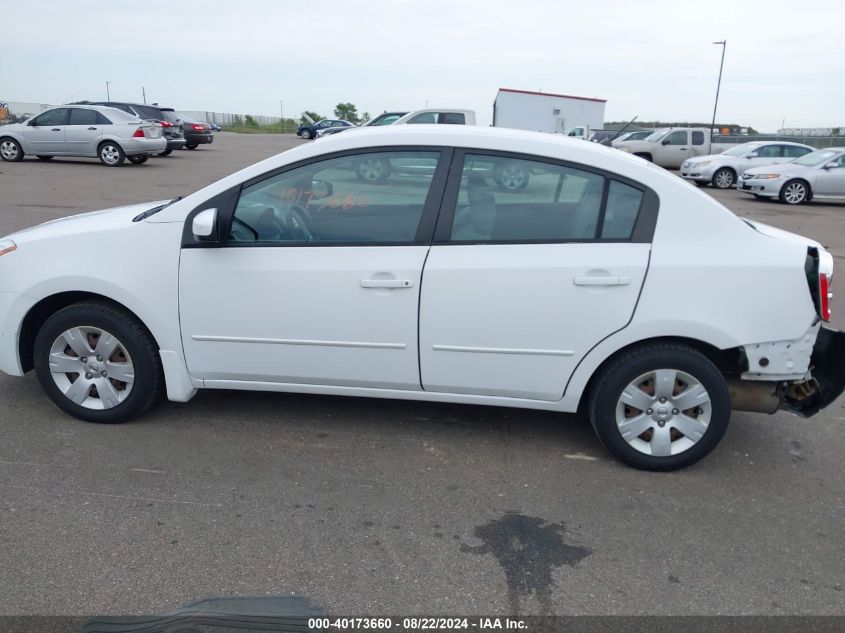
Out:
{"x": 92, "y": 368}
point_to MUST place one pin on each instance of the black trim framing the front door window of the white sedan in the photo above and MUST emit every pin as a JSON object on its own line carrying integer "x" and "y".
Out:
{"x": 227, "y": 202}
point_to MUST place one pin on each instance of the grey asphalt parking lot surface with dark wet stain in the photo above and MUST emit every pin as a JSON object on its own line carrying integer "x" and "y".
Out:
{"x": 397, "y": 507}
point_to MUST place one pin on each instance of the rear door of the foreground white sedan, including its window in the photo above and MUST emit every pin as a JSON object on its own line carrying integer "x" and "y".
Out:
{"x": 519, "y": 285}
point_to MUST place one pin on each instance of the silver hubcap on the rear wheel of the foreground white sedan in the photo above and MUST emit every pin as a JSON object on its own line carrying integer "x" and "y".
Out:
{"x": 664, "y": 412}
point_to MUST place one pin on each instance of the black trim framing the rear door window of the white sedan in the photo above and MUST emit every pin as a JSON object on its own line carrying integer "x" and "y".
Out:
{"x": 642, "y": 233}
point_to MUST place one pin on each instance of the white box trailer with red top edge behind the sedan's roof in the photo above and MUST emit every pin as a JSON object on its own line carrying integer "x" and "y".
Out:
{"x": 546, "y": 111}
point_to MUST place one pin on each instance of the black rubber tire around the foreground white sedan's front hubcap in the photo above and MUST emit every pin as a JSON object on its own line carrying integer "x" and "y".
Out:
{"x": 134, "y": 338}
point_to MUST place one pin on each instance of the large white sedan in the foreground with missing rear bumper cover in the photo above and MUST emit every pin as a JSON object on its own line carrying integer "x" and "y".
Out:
{"x": 605, "y": 285}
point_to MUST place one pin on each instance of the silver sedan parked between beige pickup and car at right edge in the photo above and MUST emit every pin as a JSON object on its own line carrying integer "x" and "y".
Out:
{"x": 723, "y": 170}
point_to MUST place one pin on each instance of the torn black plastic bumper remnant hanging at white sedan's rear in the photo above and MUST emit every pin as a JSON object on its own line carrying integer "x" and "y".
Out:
{"x": 827, "y": 368}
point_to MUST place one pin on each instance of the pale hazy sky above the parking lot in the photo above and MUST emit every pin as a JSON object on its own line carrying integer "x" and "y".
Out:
{"x": 784, "y": 63}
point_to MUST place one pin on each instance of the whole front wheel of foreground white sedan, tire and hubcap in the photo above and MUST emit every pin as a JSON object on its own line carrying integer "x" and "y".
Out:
{"x": 98, "y": 363}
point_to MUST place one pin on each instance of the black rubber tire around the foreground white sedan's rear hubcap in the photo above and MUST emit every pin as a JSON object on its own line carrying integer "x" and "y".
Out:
{"x": 605, "y": 397}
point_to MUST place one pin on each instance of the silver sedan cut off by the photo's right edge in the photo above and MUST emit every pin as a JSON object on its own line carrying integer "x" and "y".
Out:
{"x": 820, "y": 175}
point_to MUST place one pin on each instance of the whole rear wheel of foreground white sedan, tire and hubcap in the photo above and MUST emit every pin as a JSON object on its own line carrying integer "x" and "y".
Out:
{"x": 660, "y": 407}
